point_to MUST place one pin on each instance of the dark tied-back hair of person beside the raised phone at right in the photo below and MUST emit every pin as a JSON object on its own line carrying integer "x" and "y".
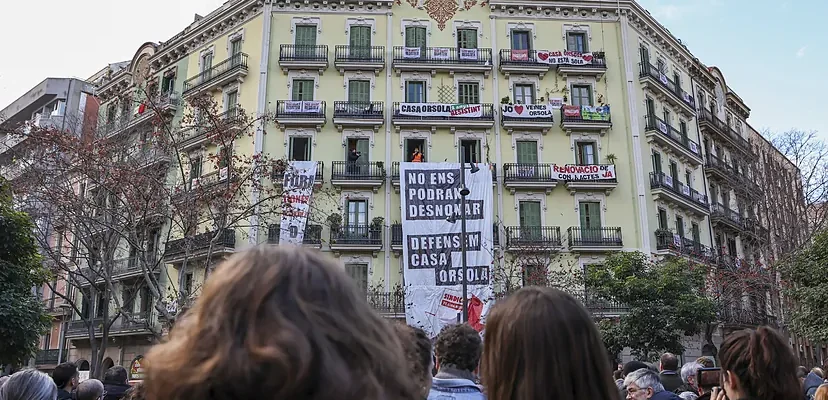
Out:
{"x": 763, "y": 363}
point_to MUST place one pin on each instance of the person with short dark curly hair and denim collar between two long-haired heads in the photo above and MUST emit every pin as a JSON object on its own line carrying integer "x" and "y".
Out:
{"x": 457, "y": 352}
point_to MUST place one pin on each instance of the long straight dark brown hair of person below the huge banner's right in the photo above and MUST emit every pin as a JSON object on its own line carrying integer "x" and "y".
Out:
{"x": 540, "y": 341}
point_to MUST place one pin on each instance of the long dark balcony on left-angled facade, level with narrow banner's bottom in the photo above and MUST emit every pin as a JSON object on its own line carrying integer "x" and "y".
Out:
{"x": 213, "y": 243}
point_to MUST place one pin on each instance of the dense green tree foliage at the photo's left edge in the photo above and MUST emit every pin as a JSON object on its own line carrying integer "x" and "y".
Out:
{"x": 22, "y": 317}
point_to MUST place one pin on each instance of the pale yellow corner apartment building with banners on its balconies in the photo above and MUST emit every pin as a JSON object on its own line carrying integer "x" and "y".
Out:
{"x": 599, "y": 85}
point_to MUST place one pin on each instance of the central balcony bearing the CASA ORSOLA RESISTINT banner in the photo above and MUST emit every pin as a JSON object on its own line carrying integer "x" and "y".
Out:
{"x": 434, "y": 115}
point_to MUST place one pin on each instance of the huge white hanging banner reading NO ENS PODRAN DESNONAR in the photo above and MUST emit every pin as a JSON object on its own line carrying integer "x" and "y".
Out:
{"x": 431, "y": 245}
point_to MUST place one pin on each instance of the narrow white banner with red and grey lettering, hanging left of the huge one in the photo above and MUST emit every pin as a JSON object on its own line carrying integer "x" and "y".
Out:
{"x": 297, "y": 189}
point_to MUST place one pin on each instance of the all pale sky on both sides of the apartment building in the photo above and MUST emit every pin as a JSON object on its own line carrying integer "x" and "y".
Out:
{"x": 773, "y": 53}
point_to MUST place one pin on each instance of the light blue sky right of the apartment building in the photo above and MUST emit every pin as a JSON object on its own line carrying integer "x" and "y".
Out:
{"x": 772, "y": 53}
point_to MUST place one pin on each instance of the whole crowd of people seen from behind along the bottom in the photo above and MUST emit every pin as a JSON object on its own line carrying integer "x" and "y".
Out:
{"x": 285, "y": 323}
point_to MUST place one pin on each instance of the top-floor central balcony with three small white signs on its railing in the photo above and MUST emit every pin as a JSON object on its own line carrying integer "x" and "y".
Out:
{"x": 448, "y": 59}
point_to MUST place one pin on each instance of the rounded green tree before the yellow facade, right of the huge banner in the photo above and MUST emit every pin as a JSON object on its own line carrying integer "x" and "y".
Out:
{"x": 666, "y": 300}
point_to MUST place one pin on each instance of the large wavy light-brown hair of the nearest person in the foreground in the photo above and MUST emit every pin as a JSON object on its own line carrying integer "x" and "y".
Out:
{"x": 280, "y": 323}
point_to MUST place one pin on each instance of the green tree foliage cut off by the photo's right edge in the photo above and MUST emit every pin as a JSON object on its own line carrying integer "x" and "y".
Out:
{"x": 806, "y": 287}
